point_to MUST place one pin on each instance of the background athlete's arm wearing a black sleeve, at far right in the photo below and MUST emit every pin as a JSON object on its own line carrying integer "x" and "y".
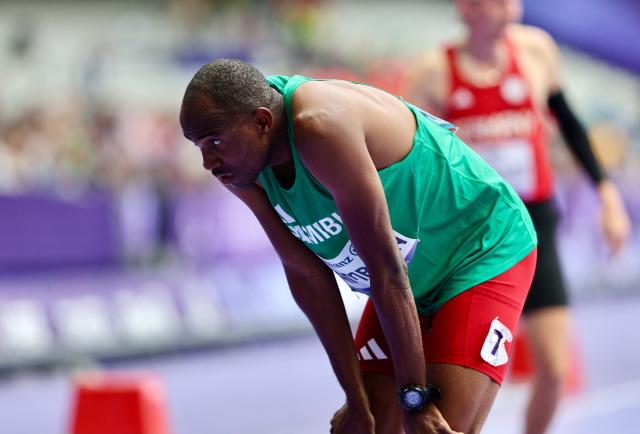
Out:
{"x": 614, "y": 219}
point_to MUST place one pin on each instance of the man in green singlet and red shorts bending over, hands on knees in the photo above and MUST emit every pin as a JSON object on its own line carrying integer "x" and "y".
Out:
{"x": 347, "y": 179}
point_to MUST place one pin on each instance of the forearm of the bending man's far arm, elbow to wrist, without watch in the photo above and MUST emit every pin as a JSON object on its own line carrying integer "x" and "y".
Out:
{"x": 319, "y": 298}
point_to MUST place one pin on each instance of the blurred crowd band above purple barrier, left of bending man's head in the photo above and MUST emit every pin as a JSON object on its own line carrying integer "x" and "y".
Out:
{"x": 71, "y": 147}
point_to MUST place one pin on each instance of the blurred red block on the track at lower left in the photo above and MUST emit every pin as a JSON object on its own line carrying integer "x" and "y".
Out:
{"x": 119, "y": 403}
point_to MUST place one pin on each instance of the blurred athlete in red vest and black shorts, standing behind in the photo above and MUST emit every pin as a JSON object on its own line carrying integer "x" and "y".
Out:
{"x": 498, "y": 85}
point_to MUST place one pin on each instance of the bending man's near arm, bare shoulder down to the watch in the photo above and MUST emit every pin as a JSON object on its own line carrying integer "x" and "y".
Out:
{"x": 333, "y": 147}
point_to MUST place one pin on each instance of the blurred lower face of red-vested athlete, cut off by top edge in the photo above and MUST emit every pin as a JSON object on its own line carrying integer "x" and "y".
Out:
{"x": 489, "y": 17}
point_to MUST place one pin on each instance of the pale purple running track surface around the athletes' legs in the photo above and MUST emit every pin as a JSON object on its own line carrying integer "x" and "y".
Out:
{"x": 286, "y": 386}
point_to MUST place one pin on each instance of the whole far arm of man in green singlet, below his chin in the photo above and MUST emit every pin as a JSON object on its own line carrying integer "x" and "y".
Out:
{"x": 316, "y": 292}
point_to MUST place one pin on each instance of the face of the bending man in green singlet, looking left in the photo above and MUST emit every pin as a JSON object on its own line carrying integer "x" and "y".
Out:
{"x": 234, "y": 148}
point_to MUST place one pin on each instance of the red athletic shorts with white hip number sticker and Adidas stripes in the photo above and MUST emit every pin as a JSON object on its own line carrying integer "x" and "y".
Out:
{"x": 473, "y": 329}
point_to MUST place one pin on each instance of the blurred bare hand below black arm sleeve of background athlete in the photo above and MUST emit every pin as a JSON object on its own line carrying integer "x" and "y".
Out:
{"x": 614, "y": 219}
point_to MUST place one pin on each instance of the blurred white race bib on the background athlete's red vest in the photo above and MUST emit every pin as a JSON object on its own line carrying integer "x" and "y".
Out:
{"x": 514, "y": 161}
